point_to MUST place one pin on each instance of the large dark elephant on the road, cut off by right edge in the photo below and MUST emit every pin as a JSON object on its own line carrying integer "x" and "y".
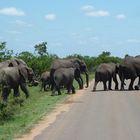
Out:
{"x": 129, "y": 68}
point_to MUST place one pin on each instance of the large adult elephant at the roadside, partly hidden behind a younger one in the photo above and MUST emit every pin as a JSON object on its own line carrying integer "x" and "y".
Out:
{"x": 70, "y": 63}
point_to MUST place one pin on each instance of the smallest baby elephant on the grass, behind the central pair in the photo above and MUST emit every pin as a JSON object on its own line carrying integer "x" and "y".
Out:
{"x": 45, "y": 80}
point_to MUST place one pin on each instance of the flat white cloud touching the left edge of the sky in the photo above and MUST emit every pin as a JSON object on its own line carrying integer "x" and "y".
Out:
{"x": 11, "y": 11}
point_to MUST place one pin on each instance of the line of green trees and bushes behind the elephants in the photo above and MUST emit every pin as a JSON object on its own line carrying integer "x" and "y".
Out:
{"x": 40, "y": 60}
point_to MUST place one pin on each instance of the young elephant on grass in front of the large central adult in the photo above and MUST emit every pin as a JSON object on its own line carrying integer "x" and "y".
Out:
{"x": 64, "y": 77}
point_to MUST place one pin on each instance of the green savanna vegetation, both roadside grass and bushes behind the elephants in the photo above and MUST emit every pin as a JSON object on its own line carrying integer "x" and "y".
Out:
{"x": 19, "y": 115}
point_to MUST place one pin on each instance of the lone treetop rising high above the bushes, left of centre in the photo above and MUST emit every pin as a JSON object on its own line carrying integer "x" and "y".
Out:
{"x": 41, "y": 48}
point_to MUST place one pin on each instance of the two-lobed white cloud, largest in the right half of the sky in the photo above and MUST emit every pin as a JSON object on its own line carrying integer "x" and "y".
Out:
{"x": 89, "y": 10}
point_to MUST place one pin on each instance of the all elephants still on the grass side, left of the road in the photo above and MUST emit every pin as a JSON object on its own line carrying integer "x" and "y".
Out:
{"x": 15, "y": 73}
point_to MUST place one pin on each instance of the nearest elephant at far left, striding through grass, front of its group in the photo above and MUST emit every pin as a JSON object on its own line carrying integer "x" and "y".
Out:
{"x": 12, "y": 78}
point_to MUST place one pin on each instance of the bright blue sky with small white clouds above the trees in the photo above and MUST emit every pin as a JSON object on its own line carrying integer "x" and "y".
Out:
{"x": 86, "y": 27}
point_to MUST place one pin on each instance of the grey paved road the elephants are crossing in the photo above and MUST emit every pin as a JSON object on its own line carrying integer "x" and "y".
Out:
{"x": 102, "y": 115}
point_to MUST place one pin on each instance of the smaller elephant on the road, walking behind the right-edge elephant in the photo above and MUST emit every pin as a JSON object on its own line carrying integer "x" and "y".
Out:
{"x": 106, "y": 72}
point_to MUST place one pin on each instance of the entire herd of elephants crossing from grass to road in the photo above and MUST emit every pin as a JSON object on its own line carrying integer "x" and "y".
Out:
{"x": 15, "y": 73}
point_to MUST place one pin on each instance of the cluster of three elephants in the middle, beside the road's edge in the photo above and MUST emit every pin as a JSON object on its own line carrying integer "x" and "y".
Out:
{"x": 62, "y": 73}
